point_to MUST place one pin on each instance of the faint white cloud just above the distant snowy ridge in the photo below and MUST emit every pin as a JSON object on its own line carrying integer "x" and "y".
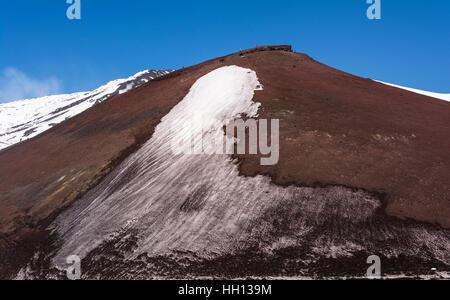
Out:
{"x": 16, "y": 85}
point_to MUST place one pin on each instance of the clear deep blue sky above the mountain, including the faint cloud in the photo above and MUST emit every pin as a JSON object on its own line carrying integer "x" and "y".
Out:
{"x": 41, "y": 51}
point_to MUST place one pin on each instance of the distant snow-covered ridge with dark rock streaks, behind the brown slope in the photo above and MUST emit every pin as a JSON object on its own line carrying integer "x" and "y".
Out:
{"x": 24, "y": 119}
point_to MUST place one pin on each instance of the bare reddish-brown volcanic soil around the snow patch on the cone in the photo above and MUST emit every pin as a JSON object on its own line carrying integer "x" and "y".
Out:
{"x": 335, "y": 129}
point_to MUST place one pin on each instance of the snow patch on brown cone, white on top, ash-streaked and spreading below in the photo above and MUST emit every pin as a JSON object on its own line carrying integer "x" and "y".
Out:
{"x": 197, "y": 214}
